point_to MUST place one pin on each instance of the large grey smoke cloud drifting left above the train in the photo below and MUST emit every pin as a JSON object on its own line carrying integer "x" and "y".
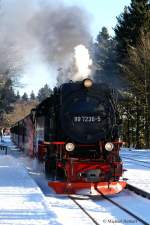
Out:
{"x": 36, "y": 32}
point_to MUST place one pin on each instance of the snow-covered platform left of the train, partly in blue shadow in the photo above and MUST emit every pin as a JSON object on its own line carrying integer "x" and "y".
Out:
{"x": 21, "y": 200}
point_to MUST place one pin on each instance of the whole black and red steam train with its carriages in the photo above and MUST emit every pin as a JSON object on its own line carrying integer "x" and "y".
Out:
{"x": 75, "y": 133}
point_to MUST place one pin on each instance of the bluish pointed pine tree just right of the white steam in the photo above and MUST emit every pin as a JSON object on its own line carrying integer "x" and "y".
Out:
{"x": 105, "y": 58}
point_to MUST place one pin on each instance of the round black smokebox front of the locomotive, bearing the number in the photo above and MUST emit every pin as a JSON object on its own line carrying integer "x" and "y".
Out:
{"x": 87, "y": 115}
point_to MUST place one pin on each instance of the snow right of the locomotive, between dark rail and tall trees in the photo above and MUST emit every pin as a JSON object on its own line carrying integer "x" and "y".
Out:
{"x": 138, "y": 173}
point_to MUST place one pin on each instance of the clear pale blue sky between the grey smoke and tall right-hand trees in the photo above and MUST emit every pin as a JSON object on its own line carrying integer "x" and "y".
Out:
{"x": 103, "y": 12}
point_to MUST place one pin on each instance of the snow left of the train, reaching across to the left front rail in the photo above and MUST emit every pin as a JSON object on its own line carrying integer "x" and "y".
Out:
{"x": 22, "y": 201}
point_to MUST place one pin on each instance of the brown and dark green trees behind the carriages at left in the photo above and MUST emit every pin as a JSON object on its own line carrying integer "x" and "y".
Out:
{"x": 14, "y": 107}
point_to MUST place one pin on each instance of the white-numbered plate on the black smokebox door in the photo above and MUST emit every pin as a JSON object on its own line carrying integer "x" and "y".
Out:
{"x": 86, "y": 119}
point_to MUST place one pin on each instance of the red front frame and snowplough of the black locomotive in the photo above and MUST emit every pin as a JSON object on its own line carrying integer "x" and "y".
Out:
{"x": 73, "y": 167}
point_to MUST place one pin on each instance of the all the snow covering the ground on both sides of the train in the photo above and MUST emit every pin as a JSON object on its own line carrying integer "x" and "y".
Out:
{"x": 25, "y": 197}
